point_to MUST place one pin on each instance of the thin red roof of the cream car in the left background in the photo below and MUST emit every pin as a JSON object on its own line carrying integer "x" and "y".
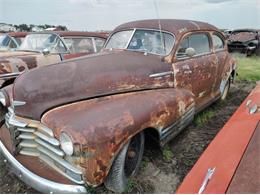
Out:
{"x": 75, "y": 33}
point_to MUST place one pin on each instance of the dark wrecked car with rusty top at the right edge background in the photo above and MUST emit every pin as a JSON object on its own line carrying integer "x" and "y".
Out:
{"x": 245, "y": 41}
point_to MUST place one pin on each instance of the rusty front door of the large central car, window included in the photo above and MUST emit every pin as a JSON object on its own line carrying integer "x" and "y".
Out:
{"x": 195, "y": 72}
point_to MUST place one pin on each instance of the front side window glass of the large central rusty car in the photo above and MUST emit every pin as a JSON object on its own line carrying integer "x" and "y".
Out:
{"x": 198, "y": 41}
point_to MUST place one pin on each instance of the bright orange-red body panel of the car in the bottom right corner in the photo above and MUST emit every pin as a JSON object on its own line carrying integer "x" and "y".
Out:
{"x": 225, "y": 151}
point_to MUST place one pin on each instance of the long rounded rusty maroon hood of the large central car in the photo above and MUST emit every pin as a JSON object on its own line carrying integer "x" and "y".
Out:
{"x": 94, "y": 76}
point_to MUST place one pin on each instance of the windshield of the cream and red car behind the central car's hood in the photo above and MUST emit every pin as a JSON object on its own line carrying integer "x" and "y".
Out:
{"x": 39, "y": 42}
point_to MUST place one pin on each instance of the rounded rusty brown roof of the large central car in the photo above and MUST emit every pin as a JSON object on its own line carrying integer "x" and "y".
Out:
{"x": 174, "y": 26}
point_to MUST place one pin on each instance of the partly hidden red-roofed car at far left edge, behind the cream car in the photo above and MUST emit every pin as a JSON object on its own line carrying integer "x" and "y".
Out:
{"x": 11, "y": 41}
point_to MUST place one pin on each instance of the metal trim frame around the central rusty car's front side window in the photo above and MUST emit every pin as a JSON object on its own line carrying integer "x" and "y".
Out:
{"x": 198, "y": 55}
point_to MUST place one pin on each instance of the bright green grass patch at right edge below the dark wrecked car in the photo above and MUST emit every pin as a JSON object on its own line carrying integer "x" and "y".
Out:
{"x": 248, "y": 68}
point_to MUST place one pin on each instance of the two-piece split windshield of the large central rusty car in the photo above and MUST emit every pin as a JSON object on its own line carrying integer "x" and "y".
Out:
{"x": 150, "y": 41}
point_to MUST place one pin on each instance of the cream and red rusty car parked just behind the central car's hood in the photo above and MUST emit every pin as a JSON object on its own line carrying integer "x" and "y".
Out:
{"x": 44, "y": 48}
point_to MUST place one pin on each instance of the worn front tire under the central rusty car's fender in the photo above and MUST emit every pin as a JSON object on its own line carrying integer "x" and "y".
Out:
{"x": 126, "y": 164}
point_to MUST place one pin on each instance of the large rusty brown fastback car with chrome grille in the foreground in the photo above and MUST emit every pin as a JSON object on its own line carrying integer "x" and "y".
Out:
{"x": 83, "y": 122}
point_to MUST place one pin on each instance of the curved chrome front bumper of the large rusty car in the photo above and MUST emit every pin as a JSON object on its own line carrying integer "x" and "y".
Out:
{"x": 36, "y": 182}
